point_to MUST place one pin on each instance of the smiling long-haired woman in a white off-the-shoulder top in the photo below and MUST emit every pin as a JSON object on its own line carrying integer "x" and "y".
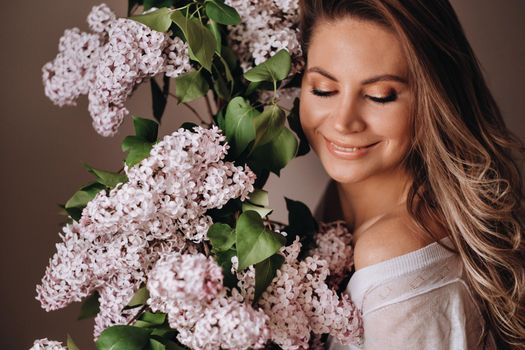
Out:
{"x": 394, "y": 103}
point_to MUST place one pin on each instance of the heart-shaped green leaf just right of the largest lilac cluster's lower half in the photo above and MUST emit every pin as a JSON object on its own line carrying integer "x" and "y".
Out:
{"x": 254, "y": 241}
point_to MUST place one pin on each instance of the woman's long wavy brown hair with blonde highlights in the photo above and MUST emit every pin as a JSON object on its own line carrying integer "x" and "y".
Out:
{"x": 463, "y": 159}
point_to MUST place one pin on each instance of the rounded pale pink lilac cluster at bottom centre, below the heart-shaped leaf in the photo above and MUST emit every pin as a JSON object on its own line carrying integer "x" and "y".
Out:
{"x": 189, "y": 289}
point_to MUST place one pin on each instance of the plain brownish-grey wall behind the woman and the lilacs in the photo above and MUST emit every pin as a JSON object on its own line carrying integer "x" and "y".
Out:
{"x": 42, "y": 146}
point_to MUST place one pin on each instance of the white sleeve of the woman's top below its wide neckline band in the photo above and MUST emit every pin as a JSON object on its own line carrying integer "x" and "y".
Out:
{"x": 441, "y": 318}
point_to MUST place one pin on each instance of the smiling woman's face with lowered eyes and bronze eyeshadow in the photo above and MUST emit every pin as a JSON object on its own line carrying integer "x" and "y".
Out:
{"x": 355, "y": 94}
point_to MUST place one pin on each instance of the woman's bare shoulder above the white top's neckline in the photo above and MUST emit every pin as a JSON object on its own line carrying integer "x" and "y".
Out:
{"x": 386, "y": 239}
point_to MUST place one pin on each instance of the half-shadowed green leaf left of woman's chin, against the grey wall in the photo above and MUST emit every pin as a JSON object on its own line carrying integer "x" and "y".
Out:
{"x": 276, "y": 154}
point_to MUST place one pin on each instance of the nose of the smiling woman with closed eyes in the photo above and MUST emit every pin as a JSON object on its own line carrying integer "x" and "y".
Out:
{"x": 347, "y": 117}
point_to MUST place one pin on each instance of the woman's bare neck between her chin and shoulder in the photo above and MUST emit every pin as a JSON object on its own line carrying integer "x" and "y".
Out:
{"x": 364, "y": 202}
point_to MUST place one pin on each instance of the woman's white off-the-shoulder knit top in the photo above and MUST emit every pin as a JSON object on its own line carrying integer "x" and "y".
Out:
{"x": 418, "y": 300}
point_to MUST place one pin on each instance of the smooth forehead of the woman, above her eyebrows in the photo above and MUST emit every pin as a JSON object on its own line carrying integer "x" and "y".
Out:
{"x": 355, "y": 48}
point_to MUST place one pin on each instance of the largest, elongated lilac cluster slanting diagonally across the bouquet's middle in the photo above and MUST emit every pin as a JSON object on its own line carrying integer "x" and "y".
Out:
{"x": 123, "y": 232}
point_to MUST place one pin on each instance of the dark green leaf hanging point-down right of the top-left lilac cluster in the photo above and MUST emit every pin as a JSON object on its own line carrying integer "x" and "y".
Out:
{"x": 200, "y": 39}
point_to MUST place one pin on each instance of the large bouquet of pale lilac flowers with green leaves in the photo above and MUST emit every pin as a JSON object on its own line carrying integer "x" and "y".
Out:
{"x": 177, "y": 250}
